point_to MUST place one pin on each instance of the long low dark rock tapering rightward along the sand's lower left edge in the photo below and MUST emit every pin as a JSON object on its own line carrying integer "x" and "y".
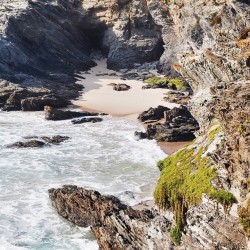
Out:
{"x": 56, "y": 114}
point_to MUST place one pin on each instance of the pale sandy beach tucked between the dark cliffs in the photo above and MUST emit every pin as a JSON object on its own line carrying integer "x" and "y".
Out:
{"x": 99, "y": 96}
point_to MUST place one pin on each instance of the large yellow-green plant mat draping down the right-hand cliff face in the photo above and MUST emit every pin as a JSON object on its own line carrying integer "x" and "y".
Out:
{"x": 185, "y": 176}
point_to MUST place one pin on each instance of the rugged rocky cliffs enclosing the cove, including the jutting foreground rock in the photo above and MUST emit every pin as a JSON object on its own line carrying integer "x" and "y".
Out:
{"x": 202, "y": 197}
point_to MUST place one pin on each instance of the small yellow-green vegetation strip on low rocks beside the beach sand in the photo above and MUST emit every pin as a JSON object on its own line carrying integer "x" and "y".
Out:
{"x": 173, "y": 83}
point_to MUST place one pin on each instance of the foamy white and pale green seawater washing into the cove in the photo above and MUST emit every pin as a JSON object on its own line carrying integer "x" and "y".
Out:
{"x": 104, "y": 156}
